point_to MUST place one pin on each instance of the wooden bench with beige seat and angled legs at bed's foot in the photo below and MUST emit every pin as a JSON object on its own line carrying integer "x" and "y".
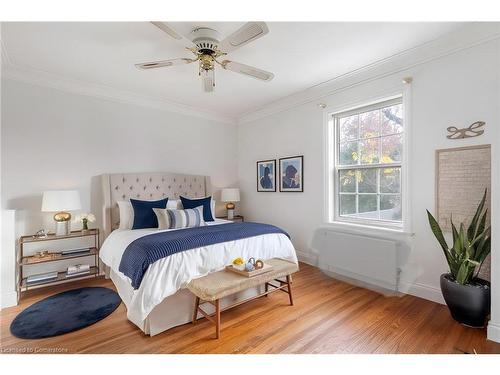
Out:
{"x": 211, "y": 288}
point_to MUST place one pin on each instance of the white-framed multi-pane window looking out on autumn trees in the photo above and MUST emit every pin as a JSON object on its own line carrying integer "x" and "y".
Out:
{"x": 368, "y": 148}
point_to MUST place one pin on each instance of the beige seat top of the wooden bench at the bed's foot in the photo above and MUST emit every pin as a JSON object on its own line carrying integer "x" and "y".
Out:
{"x": 224, "y": 283}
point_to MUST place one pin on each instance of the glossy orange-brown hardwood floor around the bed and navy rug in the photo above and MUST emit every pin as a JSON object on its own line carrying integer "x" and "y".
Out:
{"x": 329, "y": 316}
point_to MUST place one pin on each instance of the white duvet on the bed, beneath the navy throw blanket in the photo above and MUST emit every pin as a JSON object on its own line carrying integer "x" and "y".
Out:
{"x": 170, "y": 274}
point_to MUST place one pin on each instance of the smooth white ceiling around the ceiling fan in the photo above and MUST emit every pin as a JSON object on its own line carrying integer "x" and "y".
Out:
{"x": 300, "y": 55}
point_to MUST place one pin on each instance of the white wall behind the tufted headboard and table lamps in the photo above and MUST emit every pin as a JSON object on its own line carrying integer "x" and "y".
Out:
{"x": 56, "y": 140}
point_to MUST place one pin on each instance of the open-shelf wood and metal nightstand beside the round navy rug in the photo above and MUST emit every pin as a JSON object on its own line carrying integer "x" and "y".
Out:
{"x": 52, "y": 259}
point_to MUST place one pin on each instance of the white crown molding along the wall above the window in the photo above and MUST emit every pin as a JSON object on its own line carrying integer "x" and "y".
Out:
{"x": 466, "y": 37}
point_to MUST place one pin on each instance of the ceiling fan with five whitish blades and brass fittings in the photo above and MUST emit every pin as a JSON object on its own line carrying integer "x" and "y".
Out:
{"x": 208, "y": 46}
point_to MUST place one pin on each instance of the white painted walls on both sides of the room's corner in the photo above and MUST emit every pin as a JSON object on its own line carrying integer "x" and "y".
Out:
{"x": 55, "y": 140}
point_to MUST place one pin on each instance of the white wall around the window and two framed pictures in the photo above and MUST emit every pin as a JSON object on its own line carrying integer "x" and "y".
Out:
{"x": 457, "y": 89}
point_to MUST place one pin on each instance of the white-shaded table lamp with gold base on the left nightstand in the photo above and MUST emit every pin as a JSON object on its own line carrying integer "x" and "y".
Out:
{"x": 61, "y": 201}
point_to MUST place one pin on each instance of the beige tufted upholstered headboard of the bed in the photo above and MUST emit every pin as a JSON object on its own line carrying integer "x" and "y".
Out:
{"x": 146, "y": 186}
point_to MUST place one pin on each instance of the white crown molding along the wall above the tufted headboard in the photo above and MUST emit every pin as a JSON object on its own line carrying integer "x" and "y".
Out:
{"x": 14, "y": 72}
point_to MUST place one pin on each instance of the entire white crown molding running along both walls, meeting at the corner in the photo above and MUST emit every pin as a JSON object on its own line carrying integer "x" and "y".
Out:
{"x": 466, "y": 37}
